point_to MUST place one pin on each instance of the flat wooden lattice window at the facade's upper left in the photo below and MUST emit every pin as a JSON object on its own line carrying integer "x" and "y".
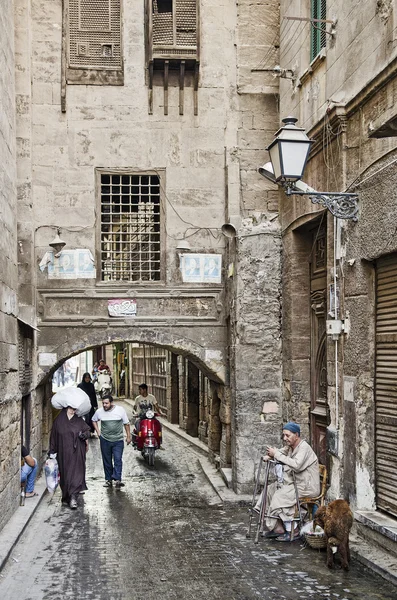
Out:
{"x": 94, "y": 36}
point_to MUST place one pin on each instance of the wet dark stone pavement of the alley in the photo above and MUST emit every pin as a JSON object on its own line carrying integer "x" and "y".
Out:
{"x": 165, "y": 535}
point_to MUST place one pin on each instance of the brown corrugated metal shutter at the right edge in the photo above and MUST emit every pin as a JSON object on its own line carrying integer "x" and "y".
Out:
{"x": 386, "y": 384}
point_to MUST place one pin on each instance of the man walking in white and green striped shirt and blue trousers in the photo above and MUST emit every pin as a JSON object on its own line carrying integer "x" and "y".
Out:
{"x": 113, "y": 419}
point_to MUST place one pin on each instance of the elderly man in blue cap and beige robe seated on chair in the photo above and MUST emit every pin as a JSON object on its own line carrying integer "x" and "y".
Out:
{"x": 299, "y": 458}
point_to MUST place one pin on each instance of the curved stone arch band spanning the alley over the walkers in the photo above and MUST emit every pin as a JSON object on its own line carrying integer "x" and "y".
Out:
{"x": 70, "y": 341}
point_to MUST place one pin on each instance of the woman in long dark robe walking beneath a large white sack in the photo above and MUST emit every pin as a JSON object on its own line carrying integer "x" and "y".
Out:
{"x": 69, "y": 441}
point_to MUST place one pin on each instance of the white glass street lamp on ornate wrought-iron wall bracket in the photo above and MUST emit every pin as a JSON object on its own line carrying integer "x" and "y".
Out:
{"x": 289, "y": 152}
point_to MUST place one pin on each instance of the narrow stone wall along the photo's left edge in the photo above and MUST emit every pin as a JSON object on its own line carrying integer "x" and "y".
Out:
{"x": 9, "y": 395}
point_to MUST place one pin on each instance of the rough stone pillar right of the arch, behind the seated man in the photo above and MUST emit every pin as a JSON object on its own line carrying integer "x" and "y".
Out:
{"x": 255, "y": 347}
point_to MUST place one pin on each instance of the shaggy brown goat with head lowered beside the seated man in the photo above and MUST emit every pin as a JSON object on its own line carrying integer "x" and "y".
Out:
{"x": 336, "y": 519}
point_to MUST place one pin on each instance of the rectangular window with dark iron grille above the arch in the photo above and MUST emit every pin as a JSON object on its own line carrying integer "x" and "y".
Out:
{"x": 130, "y": 227}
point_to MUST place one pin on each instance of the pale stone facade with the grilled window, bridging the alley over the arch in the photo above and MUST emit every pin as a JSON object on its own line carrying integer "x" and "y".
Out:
{"x": 156, "y": 110}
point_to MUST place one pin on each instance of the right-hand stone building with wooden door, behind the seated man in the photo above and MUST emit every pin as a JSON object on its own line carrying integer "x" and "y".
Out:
{"x": 339, "y": 80}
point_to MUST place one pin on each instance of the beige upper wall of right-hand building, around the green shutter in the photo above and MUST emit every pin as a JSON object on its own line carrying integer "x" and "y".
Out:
{"x": 362, "y": 46}
